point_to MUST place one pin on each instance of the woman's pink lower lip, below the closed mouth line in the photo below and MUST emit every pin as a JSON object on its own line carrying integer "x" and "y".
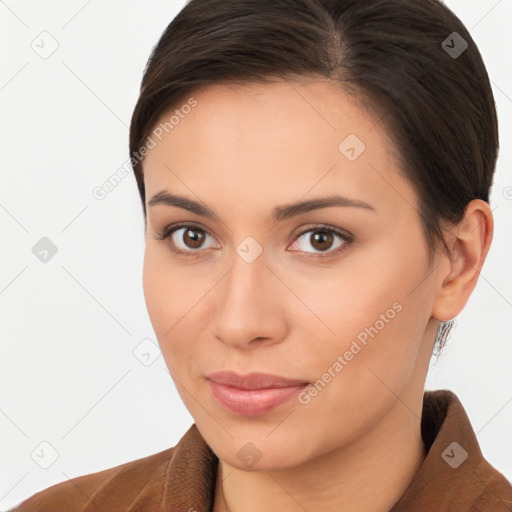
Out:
{"x": 252, "y": 402}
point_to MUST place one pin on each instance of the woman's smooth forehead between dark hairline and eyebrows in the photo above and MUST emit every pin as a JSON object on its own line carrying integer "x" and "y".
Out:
{"x": 284, "y": 135}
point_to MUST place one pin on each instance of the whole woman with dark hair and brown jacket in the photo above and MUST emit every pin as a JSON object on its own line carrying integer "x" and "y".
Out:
{"x": 315, "y": 180}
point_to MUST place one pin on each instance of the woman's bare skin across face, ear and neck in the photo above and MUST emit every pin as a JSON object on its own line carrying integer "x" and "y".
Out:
{"x": 242, "y": 151}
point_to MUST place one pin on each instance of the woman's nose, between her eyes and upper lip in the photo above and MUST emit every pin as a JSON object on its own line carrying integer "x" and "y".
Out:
{"x": 250, "y": 305}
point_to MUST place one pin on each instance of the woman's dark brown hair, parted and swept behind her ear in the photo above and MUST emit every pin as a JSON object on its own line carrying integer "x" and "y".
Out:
{"x": 400, "y": 57}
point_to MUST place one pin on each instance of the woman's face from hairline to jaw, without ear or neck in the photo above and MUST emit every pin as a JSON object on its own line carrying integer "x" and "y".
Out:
{"x": 348, "y": 311}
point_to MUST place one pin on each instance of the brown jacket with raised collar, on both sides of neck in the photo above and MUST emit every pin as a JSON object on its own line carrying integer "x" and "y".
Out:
{"x": 454, "y": 476}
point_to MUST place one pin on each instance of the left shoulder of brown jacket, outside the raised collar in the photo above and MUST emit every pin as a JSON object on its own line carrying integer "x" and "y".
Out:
{"x": 112, "y": 489}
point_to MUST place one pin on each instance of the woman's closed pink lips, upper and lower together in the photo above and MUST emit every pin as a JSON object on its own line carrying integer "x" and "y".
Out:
{"x": 253, "y": 394}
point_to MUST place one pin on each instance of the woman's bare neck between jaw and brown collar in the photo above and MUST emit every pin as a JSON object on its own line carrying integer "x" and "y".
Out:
{"x": 370, "y": 474}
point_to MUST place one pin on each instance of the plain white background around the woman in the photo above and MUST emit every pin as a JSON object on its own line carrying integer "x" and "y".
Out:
{"x": 68, "y": 327}
